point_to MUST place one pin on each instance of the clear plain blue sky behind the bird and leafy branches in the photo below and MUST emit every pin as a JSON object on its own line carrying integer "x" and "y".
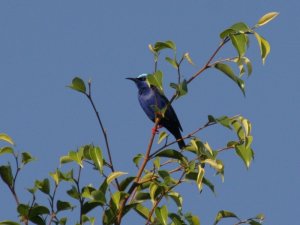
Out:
{"x": 45, "y": 44}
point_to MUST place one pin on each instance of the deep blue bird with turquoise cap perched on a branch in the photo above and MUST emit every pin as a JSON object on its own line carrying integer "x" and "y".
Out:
{"x": 150, "y": 98}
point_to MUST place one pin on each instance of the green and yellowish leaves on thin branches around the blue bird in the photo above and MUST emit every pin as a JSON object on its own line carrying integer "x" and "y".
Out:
{"x": 161, "y": 170}
